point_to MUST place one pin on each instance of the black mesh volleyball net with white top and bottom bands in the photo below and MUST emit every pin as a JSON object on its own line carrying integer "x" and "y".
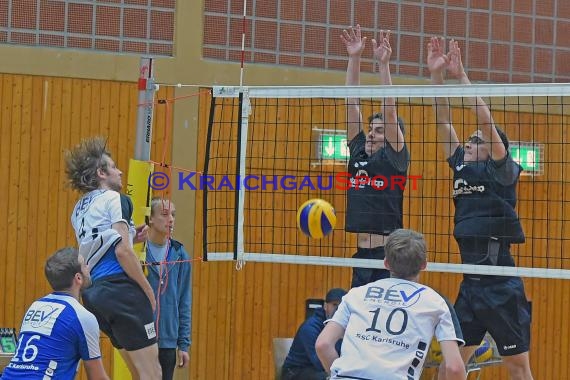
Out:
{"x": 269, "y": 149}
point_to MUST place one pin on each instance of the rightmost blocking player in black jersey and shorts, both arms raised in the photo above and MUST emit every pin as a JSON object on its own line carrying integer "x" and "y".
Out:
{"x": 486, "y": 224}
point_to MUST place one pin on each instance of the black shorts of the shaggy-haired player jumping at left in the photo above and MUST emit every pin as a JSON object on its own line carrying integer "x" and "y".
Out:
{"x": 123, "y": 311}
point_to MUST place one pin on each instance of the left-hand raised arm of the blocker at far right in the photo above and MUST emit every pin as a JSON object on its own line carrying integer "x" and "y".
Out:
{"x": 437, "y": 63}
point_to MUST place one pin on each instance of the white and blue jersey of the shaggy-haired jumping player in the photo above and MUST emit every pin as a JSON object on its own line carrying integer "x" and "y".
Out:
{"x": 92, "y": 219}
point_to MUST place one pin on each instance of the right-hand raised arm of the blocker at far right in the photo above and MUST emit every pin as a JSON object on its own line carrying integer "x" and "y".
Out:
{"x": 485, "y": 121}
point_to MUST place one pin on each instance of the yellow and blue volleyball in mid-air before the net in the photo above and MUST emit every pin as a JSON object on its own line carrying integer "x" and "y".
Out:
{"x": 316, "y": 218}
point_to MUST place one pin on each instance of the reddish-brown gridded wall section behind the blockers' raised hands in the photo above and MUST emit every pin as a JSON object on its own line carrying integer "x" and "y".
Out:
{"x": 502, "y": 40}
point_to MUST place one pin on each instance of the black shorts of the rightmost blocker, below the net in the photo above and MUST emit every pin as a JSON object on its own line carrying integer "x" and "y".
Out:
{"x": 499, "y": 307}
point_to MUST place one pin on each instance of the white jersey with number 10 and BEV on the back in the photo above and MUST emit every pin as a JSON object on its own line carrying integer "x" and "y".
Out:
{"x": 389, "y": 325}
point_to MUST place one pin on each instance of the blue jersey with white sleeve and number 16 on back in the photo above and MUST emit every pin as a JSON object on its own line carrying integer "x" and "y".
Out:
{"x": 57, "y": 331}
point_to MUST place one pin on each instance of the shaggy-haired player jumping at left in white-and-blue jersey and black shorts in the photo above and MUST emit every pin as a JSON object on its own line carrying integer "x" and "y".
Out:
{"x": 121, "y": 297}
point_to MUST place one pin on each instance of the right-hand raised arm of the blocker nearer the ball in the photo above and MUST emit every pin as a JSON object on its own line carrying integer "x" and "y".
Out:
{"x": 382, "y": 52}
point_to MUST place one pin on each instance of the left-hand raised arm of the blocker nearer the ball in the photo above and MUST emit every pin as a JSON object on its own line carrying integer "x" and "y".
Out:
{"x": 354, "y": 43}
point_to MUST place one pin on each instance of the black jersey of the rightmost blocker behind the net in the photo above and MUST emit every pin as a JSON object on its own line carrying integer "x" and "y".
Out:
{"x": 484, "y": 194}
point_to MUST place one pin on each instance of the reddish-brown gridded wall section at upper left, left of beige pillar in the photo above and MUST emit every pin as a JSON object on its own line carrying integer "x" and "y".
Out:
{"x": 126, "y": 26}
